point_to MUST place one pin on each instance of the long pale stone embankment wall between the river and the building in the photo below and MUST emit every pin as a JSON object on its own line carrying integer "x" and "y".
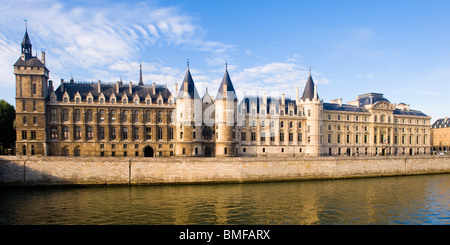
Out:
{"x": 15, "y": 170}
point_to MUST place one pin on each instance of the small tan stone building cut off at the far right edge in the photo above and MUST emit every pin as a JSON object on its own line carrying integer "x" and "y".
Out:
{"x": 440, "y": 135}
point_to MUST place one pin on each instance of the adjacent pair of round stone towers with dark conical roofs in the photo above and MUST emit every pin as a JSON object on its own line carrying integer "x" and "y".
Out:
{"x": 206, "y": 124}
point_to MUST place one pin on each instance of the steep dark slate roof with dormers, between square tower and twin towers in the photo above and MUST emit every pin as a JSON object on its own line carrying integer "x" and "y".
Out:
{"x": 109, "y": 89}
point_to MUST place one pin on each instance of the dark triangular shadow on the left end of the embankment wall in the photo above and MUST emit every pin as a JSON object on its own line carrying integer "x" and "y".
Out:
{"x": 18, "y": 174}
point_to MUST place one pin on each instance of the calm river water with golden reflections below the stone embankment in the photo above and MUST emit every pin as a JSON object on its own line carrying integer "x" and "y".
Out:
{"x": 389, "y": 200}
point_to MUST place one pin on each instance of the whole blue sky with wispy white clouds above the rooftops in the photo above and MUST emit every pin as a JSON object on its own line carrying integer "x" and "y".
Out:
{"x": 398, "y": 48}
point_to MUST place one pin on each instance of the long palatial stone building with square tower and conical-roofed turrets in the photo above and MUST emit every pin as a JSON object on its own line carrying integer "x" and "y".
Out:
{"x": 146, "y": 120}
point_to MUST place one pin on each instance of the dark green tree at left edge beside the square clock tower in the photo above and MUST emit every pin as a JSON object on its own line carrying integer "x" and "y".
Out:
{"x": 7, "y": 131}
